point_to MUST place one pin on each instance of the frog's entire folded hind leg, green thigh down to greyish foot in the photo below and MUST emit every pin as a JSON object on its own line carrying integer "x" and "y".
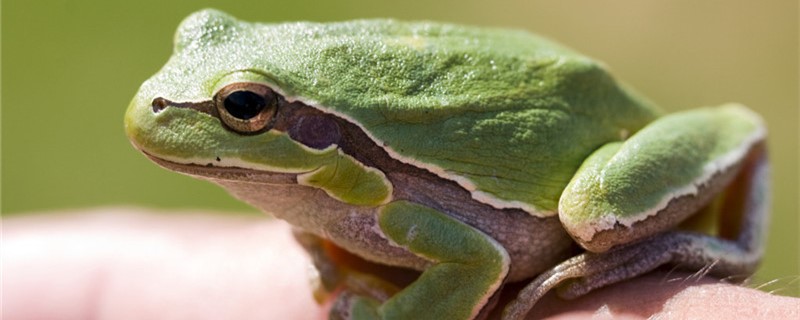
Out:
{"x": 627, "y": 196}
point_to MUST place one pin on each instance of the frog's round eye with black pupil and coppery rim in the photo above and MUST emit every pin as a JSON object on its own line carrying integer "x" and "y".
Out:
{"x": 246, "y": 107}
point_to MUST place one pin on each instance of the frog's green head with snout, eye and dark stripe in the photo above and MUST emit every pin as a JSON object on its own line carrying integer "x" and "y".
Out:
{"x": 212, "y": 111}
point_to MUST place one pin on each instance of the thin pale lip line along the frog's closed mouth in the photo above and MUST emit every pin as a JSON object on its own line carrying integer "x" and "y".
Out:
{"x": 237, "y": 174}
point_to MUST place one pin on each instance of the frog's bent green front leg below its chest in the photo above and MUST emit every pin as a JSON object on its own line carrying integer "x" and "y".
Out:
{"x": 469, "y": 267}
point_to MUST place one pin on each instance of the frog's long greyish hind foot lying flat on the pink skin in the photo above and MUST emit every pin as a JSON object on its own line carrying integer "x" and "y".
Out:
{"x": 590, "y": 271}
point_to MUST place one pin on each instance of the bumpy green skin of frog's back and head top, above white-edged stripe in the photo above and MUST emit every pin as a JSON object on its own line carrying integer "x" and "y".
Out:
{"x": 514, "y": 114}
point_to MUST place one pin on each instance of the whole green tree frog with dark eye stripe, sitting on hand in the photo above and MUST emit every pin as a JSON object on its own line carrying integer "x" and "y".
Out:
{"x": 476, "y": 156}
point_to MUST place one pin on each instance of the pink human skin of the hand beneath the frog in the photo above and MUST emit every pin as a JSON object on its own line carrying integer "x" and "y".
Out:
{"x": 135, "y": 264}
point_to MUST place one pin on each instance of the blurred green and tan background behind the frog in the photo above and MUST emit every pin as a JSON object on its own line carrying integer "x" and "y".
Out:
{"x": 69, "y": 69}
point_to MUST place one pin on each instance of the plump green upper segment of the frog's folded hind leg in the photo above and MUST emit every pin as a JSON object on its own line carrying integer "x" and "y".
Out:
{"x": 668, "y": 171}
